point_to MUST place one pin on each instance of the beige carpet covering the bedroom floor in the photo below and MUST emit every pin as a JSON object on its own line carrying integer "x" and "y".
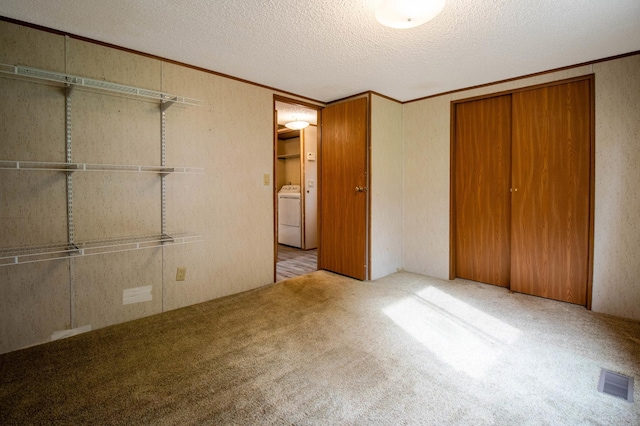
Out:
{"x": 323, "y": 349}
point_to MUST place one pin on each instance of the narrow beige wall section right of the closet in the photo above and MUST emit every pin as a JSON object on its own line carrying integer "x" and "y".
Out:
{"x": 616, "y": 283}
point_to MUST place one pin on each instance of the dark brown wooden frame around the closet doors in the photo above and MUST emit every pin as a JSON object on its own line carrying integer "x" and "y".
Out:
{"x": 452, "y": 172}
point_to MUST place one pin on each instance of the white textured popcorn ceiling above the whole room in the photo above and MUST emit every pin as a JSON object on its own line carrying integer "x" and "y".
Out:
{"x": 330, "y": 49}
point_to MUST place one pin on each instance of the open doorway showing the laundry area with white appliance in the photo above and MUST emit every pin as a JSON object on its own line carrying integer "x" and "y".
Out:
{"x": 295, "y": 188}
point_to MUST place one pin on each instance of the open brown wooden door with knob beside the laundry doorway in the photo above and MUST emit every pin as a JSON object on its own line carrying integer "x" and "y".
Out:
{"x": 343, "y": 194}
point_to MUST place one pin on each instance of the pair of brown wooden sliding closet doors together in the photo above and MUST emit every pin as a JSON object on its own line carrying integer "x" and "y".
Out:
{"x": 523, "y": 168}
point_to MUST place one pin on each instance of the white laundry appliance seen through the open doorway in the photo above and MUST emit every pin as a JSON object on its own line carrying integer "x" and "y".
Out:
{"x": 289, "y": 216}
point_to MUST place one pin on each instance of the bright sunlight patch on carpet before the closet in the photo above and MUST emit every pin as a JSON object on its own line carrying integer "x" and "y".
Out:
{"x": 460, "y": 335}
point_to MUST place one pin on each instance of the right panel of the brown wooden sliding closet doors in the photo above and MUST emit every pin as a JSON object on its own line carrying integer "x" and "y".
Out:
{"x": 551, "y": 191}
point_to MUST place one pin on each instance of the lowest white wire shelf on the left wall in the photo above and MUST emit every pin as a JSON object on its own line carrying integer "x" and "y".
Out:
{"x": 22, "y": 255}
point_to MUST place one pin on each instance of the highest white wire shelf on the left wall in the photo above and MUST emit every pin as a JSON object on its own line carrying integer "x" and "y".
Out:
{"x": 74, "y": 80}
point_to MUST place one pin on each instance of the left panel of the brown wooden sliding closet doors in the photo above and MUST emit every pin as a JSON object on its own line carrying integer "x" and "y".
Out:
{"x": 482, "y": 184}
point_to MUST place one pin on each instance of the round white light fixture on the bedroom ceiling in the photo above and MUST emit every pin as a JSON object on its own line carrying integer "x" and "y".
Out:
{"x": 407, "y": 13}
